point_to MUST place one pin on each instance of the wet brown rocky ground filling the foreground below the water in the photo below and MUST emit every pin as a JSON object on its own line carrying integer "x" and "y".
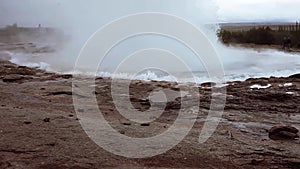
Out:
{"x": 39, "y": 127}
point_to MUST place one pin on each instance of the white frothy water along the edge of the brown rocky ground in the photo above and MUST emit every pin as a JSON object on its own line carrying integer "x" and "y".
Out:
{"x": 239, "y": 66}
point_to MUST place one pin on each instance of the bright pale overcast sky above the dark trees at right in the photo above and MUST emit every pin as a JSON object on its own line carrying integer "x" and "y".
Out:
{"x": 244, "y": 10}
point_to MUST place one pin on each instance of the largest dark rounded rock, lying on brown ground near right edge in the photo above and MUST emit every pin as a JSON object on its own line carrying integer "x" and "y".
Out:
{"x": 283, "y": 132}
